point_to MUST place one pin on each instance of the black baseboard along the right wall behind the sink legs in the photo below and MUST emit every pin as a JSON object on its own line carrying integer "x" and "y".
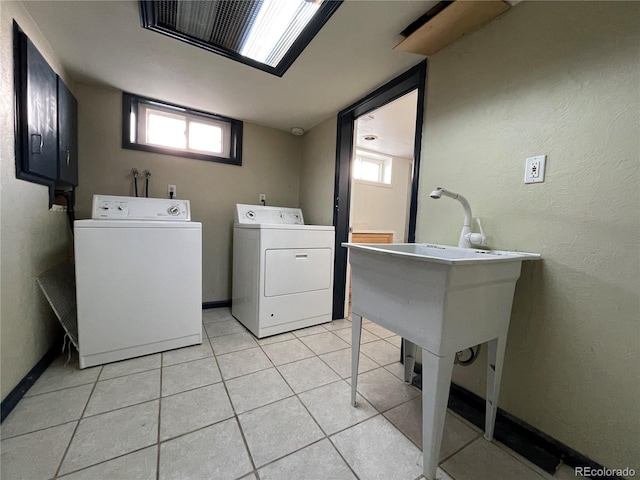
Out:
{"x": 524, "y": 439}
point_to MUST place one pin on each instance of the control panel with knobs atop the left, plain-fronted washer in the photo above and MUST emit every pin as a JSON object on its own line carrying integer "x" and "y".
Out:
{"x": 140, "y": 208}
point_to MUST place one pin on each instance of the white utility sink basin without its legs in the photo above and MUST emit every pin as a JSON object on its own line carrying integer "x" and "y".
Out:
{"x": 440, "y": 297}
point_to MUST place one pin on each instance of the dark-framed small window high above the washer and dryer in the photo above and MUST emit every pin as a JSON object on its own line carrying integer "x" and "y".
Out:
{"x": 169, "y": 129}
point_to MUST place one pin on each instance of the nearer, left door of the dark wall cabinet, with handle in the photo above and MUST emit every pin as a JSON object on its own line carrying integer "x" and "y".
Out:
{"x": 42, "y": 140}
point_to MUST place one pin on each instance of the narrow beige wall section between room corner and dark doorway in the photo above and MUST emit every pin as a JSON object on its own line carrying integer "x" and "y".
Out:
{"x": 317, "y": 173}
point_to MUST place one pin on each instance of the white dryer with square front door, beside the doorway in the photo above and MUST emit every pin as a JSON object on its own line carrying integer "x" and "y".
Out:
{"x": 282, "y": 270}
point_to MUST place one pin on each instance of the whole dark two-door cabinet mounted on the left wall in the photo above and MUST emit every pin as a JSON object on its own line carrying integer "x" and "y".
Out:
{"x": 45, "y": 119}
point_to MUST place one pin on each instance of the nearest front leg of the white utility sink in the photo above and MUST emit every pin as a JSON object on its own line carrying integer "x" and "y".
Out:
{"x": 436, "y": 380}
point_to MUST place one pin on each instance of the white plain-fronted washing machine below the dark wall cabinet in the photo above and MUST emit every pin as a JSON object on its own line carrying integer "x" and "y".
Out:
{"x": 138, "y": 265}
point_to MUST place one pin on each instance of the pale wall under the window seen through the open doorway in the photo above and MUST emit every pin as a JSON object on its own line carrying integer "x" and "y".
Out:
{"x": 384, "y": 207}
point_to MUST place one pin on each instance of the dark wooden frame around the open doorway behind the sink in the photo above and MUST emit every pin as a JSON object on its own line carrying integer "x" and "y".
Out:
{"x": 412, "y": 79}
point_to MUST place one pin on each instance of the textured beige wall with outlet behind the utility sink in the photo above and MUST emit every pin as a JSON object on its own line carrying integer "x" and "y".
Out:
{"x": 561, "y": 79}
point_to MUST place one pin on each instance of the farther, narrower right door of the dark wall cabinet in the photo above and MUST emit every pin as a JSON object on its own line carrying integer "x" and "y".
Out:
{"x": 67, "y": 135}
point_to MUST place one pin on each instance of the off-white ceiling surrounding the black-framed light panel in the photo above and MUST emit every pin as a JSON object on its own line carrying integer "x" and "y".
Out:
{"x": 102, "y": 42}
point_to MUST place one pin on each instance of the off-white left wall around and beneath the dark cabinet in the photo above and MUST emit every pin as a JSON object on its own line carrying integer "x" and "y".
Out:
{"x": 33, "y": 238}
